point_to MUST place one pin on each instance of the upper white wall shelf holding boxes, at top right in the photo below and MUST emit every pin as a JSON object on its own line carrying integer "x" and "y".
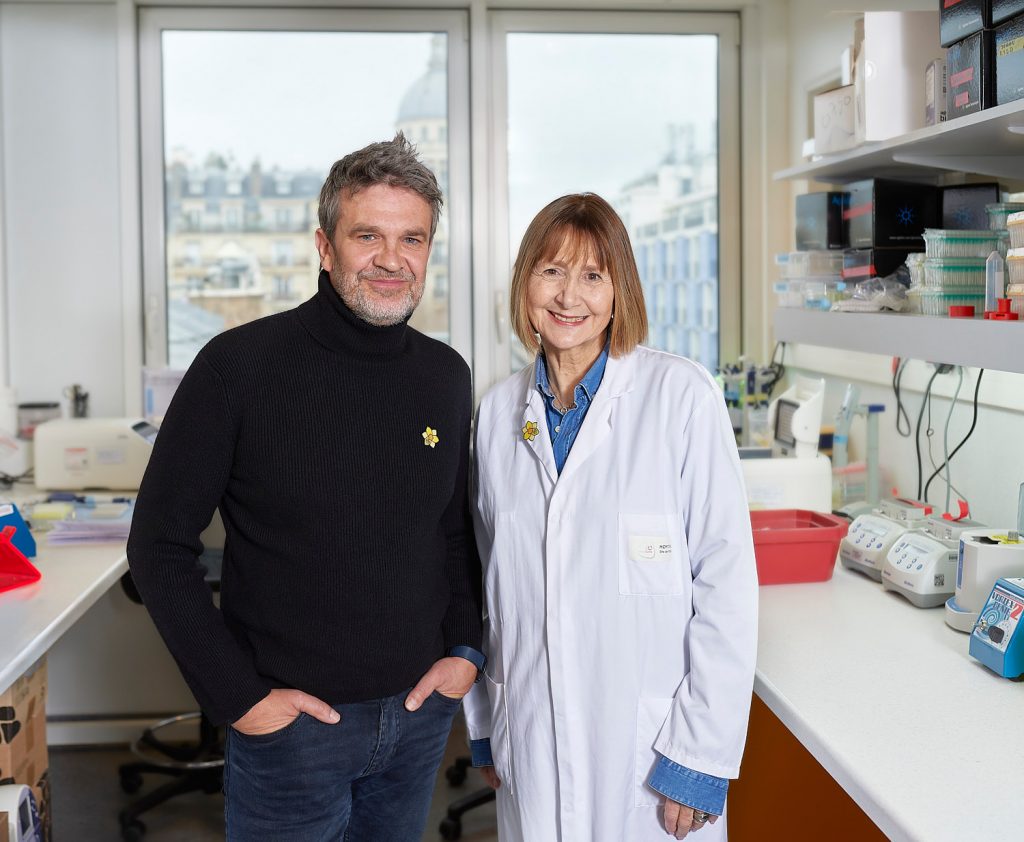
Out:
{"x": 980, "y": 143}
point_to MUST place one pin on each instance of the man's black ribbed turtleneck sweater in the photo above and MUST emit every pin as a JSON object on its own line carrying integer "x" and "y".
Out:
{"x": 350, "y": 565}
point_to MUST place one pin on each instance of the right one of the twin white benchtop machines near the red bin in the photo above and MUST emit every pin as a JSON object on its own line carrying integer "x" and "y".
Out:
{"x": 922, "y": 565}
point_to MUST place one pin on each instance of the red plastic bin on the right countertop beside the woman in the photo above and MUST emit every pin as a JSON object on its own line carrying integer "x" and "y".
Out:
{"x": 796, "y": 545}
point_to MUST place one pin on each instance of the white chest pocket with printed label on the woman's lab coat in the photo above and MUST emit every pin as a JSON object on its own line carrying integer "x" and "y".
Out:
{"x": 652, "y": 555}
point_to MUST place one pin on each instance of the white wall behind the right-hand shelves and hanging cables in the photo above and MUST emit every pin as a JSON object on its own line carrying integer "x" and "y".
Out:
{"x": 991, "y": 468}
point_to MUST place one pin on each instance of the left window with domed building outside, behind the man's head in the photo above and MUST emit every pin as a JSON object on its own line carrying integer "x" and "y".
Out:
{"x": 264, "y": 140}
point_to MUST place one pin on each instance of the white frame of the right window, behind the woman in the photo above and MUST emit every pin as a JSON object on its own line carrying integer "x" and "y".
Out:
{"x": 494, "y": 357}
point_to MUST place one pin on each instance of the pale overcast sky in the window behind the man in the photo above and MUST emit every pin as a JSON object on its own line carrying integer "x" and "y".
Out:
{"x": 294, "y": 100}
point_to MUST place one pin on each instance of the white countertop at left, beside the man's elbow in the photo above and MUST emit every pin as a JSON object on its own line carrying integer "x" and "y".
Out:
{"x": 32, "y": 618}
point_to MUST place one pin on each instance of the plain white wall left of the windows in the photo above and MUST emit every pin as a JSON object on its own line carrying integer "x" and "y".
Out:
{"x": 62, "y": 182}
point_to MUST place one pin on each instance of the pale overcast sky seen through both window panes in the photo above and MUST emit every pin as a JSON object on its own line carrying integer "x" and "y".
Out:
{"x": 586, "y": 111}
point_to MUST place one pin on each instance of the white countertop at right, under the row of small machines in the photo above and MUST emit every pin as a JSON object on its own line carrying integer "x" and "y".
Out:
{"x": 925, "y": 739}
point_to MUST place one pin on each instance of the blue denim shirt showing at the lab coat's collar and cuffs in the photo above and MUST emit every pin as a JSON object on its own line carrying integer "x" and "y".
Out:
{"x": 703, "y": 792}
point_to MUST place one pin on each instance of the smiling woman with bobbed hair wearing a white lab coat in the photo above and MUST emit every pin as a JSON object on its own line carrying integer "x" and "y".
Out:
{"x": 620, "y": 577}
